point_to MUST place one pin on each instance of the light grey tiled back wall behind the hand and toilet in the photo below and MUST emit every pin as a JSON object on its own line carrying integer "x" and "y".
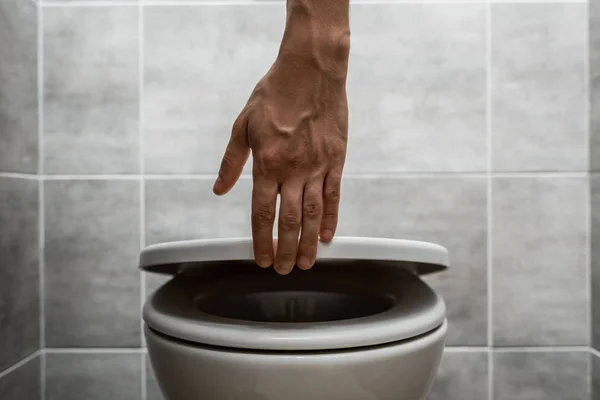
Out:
{"x": 468, "y": 127}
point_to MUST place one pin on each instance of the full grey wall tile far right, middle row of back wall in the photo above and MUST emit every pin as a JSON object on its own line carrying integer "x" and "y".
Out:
{"x": 539, "y": 261}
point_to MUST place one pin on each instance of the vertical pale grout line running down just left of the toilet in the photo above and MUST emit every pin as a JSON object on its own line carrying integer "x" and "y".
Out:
{"x": 142, "y": 194}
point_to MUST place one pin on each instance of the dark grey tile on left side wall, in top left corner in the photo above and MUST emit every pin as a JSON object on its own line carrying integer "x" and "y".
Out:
{"x": 18, "y": 80}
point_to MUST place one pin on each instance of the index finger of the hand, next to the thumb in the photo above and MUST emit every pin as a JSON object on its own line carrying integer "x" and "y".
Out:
{"x": 264, "y": 200}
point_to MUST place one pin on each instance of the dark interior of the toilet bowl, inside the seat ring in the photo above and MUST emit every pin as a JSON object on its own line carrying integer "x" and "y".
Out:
{"x": 303, "y": 297}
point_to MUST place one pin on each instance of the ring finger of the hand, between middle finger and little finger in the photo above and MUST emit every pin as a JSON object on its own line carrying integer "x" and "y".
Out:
{"x": 312, "y": 211}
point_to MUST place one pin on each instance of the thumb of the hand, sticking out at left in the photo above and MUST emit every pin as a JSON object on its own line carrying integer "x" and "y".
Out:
{"x": 234, "y": 159}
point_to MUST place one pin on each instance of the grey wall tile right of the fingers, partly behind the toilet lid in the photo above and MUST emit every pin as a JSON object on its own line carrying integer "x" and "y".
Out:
{"x": 448, "y": 211}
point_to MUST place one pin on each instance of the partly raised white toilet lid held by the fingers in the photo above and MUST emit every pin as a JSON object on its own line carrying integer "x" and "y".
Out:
{"x": 172, "y": 257}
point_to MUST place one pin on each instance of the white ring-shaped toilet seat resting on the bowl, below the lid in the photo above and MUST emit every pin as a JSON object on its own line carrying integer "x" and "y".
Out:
{"x": 179, "y": 318}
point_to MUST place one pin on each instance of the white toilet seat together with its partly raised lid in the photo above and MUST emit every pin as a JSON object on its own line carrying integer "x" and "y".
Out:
{"x": 380, "y": 272}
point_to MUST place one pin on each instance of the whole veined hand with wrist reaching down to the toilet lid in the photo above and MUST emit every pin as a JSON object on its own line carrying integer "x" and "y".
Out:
{"x": 296, "y": 125}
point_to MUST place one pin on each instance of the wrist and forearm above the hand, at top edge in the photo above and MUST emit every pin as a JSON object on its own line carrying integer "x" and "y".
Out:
{"x": 317, "y": 34}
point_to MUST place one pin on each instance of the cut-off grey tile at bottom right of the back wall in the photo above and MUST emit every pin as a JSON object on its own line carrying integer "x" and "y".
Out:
{"x": 541, "y": 376}
